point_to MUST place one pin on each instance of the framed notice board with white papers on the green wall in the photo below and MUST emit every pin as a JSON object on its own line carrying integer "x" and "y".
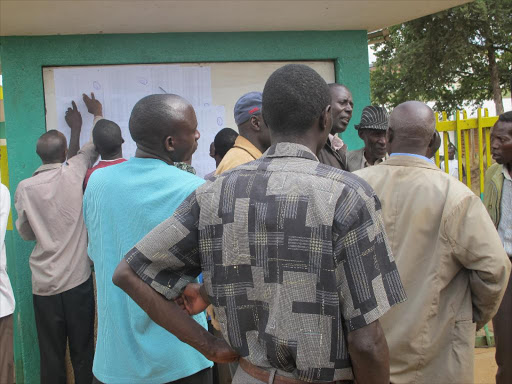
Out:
{"x": 212, "y": 88}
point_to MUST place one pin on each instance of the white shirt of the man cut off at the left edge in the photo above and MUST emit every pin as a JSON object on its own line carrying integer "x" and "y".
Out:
{"x": 6, "y": 294}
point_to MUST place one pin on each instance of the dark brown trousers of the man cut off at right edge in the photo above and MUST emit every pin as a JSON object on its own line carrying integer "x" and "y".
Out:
{"x": 503, "y": 337}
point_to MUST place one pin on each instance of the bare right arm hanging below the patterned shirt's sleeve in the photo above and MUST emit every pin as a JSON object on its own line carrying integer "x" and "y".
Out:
{"x": 369, "y": 354}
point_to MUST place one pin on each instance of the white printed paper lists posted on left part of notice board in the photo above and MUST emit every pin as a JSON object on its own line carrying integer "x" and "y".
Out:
{"x": 119, "y": 88}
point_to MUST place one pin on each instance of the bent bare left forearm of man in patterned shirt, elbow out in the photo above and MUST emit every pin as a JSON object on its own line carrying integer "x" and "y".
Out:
{"x": 170, "y": 316}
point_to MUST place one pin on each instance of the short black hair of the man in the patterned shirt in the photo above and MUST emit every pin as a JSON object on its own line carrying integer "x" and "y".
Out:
{"x": 294, "y": 96}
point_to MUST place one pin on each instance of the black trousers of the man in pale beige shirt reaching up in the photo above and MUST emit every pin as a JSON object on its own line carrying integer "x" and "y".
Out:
{"x": 61, "y": 318}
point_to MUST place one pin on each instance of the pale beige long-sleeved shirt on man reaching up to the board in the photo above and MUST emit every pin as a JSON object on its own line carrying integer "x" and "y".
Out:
{"x": 49, "y": 206}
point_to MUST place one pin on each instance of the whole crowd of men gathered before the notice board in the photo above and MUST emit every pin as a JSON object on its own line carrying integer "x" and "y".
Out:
{"x": 317, "y": 264}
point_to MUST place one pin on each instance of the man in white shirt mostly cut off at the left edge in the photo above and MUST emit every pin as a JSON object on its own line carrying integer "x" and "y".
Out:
{"x": 6, "y": 297}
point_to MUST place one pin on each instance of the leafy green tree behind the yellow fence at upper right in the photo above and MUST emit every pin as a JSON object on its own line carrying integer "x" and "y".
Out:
{"x": 457, "y": 58}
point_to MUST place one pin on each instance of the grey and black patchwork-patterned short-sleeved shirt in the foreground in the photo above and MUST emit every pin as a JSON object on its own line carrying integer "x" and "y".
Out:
{"x": 293, "y": 255}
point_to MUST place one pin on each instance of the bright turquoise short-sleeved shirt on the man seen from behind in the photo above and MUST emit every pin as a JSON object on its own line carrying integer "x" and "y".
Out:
{"x": 121, "y": 205}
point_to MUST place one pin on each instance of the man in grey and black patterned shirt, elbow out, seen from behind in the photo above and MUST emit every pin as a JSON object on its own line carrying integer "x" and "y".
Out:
{"x": 293, "y": 253}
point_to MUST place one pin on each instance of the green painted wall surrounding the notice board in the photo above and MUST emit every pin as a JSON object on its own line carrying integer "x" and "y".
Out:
{"x": 22, "y": 61}
